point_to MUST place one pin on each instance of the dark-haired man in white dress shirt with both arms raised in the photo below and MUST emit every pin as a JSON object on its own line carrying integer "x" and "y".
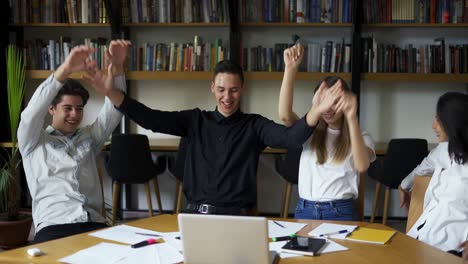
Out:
{"x": 59, "y": 161}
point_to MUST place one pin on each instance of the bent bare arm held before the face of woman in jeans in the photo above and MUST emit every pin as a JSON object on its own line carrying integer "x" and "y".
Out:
{"x": 361, "y": 153}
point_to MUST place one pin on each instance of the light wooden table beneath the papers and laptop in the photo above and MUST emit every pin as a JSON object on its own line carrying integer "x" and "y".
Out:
{"x": 401, "y": 249}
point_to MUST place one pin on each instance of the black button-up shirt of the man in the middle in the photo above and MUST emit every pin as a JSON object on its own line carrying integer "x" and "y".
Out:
{"x": 222, "y": 152}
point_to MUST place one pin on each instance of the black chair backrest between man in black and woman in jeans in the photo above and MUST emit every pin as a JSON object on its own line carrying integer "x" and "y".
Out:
{"x": 288, "y": 167}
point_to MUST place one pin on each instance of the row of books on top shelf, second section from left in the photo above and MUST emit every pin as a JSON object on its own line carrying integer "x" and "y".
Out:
{"x": 177, "y": 11}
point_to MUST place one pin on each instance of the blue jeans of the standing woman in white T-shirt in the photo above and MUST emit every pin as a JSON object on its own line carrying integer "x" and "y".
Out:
{"x": 340, "y": 210}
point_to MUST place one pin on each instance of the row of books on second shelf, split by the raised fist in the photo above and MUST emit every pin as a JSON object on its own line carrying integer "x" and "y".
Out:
{"x": 330, "y": 57}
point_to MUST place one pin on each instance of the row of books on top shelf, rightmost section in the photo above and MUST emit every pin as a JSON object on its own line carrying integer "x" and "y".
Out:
{"x": 415, "y": 11}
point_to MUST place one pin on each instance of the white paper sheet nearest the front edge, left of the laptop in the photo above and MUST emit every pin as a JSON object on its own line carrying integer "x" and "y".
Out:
{"x": 105, "y": 253}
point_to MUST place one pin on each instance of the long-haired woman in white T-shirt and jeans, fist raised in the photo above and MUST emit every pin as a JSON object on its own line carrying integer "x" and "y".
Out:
{"x": 334, "y": 155}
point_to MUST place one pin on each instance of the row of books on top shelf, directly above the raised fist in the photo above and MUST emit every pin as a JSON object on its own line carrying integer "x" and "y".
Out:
{"x": 296, "y": 11}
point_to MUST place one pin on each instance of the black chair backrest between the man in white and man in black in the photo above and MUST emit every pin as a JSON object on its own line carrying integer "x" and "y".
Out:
{"x": 130, "y": 159}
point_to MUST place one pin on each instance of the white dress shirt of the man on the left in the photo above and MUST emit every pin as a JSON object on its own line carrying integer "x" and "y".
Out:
{"x": 61, "y": 171}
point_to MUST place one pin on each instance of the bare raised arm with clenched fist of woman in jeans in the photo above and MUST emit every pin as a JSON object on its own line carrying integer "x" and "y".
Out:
{"x": 292, "y": 59}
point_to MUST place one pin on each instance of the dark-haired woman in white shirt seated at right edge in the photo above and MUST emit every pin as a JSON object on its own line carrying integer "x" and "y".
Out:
{"x": 444, "y": 220}
